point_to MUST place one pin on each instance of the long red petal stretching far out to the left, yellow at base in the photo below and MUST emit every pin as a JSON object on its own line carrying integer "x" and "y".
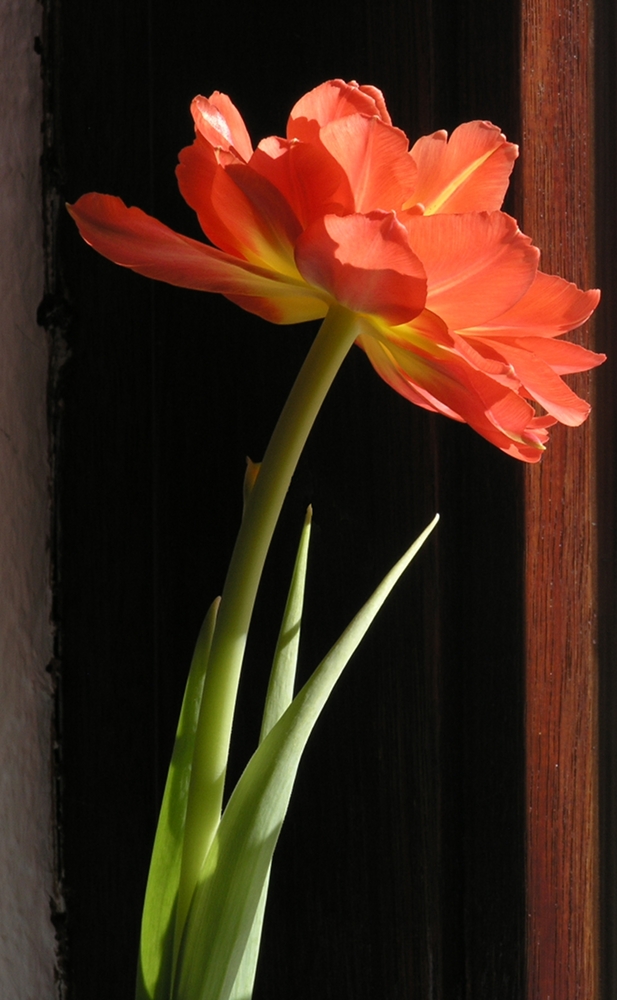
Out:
{"x": 133, "y": 239}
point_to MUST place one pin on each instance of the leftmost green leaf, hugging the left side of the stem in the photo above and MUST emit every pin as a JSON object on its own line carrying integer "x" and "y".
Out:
{"x": 154, "y": 972}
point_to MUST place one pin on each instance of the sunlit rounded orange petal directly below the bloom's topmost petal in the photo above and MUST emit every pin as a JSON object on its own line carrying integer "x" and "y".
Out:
{"x": 375, "y": 159}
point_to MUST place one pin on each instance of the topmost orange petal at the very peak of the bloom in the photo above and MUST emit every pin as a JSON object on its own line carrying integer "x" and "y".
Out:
{"x": 329, "y": 102}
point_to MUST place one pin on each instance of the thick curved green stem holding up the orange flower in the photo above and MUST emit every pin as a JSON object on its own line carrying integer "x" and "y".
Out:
{"x": 337, "y": 334}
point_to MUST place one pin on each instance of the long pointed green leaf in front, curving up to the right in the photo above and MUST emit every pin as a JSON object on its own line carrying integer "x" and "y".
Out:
{"x": 228, "y": 896}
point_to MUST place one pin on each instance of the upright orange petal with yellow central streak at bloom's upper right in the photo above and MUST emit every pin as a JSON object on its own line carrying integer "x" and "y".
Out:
{"x": 469, "y": 173}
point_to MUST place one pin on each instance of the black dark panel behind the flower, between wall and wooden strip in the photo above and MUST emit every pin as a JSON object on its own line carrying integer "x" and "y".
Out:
{"x": 400, "y": 871}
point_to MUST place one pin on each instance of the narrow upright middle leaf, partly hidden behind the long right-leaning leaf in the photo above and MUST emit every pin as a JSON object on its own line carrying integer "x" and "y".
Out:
{"x": 278, "y": 699}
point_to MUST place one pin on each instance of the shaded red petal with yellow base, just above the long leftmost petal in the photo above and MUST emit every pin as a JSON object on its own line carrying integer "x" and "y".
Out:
{"x": 238, "y": 210}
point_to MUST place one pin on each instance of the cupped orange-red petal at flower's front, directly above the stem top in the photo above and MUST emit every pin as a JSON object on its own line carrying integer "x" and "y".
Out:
{"x": 365, "y": 263}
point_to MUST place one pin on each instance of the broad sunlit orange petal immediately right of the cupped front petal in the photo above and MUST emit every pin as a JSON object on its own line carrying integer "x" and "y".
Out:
{"x": 477, "y": 265}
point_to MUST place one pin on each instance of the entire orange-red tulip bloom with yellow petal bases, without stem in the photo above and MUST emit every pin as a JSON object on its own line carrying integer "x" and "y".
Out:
{"x": 453, "y": 311}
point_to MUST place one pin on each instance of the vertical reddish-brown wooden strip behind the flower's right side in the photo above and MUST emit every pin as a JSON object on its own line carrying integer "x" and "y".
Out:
{"x": 562, "y": 885}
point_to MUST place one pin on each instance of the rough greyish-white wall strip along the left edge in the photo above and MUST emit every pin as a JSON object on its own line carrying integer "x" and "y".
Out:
{"x": 26, "y": 933}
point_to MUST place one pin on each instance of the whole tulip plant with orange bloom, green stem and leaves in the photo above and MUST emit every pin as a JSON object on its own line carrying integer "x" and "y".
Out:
{"x": 406, "y": 253}
